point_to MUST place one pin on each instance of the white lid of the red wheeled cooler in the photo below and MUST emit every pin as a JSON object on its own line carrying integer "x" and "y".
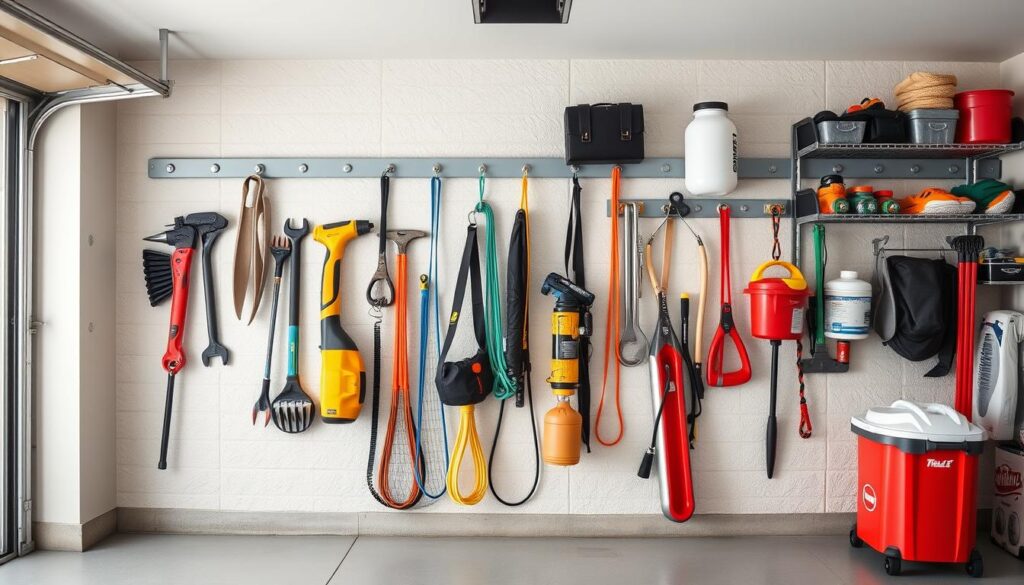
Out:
{"x": 932, "y": 423}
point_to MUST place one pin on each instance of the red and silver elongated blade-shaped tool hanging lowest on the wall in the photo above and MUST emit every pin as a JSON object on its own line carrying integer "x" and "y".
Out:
{"x": 676, "y": 477}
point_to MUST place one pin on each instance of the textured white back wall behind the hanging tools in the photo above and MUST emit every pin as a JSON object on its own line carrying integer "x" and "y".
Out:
{"x": 465, "y": 108}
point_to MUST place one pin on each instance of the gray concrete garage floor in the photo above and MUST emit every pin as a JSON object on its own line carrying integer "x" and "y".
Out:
{"x": 167, "y": 560}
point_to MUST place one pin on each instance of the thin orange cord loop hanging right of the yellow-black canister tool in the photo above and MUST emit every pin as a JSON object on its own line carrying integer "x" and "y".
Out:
{"x": 612, "y": 333}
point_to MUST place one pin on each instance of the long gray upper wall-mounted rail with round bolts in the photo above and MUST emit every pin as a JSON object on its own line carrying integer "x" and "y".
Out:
{"x": 312, "y": 168}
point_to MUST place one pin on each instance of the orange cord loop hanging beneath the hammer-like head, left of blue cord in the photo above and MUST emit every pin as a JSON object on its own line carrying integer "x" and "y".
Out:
{"x": 400, "y": 399}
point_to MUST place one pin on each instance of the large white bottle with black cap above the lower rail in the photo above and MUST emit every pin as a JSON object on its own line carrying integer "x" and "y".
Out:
{"x": 712, "y": 159}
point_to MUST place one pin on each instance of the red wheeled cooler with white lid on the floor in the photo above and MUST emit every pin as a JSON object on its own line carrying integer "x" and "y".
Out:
{"x": 917, "y": 482}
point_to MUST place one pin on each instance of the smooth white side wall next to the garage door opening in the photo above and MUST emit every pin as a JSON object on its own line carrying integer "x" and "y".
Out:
{"x": 75, "y": 380}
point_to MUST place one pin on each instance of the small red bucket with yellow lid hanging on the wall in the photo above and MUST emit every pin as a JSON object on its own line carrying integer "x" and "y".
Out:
{"x": 778, "y": 305}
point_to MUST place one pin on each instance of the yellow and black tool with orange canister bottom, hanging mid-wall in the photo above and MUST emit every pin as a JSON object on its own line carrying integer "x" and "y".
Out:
{"x": 571, "y": 320}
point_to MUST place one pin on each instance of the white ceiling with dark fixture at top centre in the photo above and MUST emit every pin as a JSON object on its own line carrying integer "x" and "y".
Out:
{"x": 933, "y": 30}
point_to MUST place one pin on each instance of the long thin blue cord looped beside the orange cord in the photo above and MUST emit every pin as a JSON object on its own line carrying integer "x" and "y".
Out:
{"x": 436, "y": 207}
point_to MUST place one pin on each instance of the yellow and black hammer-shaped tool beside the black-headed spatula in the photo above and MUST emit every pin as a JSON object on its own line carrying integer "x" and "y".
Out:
{"x": 344, "y": 379}
